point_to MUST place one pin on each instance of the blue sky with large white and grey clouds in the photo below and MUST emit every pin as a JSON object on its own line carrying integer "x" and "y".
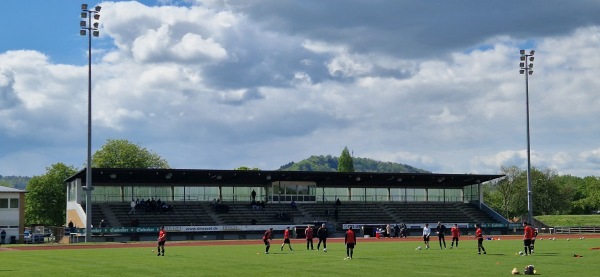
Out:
{"x": 219, "y": 84}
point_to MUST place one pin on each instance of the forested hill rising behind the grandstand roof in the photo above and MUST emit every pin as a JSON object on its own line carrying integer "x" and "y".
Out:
{"x": 329, "y": 163}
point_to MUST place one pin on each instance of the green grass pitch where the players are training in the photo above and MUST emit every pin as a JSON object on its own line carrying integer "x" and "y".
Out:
{"x": 382, "y": 258}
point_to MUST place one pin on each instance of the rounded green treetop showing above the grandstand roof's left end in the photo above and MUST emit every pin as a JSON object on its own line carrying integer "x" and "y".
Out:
{"x": 120, "y": 153}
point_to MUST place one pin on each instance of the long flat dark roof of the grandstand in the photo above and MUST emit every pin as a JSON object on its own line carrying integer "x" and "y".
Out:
{"x": 253, "y": 178}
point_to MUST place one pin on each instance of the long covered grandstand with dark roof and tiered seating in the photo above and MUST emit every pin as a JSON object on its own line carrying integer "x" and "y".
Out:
{"x": 195, "y": 204}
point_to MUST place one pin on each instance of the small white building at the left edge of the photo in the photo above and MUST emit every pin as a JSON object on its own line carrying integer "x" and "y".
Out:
{"x": 12, "y": 213}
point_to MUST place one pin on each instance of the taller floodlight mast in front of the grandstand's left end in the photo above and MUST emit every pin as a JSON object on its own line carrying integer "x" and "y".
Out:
{"x": 89, "y": 28}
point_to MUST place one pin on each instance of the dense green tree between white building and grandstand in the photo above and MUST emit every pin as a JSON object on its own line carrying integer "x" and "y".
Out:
{"x": 47, "y": 196}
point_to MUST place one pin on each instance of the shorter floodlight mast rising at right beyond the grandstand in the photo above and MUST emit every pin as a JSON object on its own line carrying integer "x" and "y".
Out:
{"x": 527, "y": 69}
